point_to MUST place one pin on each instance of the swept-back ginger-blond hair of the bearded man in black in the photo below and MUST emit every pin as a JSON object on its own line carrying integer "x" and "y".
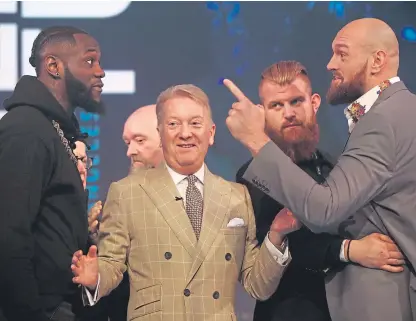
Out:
{"x": 285, "y": 72}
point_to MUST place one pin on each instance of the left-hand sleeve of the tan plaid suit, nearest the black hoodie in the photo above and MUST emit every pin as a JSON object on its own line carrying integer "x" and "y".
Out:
{"x": 114, "y": 241}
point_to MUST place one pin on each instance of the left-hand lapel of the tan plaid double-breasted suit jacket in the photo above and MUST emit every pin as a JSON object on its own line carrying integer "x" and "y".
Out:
{"x": 162, "y": 191}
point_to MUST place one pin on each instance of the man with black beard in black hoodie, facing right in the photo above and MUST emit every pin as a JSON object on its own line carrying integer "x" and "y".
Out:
{"x": 43, "y": 217}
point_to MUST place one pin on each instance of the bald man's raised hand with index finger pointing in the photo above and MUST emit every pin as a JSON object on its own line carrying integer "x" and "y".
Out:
{"x": 246, "y": 120}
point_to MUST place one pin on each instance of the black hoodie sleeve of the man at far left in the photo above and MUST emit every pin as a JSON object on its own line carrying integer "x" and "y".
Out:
{"x": 24, "y": 171}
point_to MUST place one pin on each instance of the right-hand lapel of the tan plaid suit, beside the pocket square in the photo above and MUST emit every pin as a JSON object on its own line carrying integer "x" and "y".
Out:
{"x": 217, "y": 194}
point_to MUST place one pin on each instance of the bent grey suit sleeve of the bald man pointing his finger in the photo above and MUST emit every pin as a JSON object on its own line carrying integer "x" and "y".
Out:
{"x": 360, "y": 175}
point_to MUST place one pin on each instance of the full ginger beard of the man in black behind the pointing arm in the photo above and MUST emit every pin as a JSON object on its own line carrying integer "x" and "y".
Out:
{"x": 303, "y": 146}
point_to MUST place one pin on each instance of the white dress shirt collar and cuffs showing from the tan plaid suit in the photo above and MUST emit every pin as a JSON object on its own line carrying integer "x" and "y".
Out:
{"x": 181, "y": 183}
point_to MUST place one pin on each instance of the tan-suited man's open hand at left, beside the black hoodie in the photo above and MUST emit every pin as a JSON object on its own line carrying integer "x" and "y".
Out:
{"x": 85, "y": 268}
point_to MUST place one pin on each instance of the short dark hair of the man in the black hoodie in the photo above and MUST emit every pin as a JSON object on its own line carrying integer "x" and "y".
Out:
{"x": 52, "y": 35}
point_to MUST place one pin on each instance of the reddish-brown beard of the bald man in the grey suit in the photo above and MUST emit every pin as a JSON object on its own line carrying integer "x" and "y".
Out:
{"x": 347, "y": 92}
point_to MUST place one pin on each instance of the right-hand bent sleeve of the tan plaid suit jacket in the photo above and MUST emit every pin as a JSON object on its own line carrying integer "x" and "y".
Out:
{"x": 260, "y": 272}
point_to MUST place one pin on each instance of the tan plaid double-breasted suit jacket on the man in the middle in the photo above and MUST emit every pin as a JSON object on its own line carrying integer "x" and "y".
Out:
{"x": 172, "y": 276}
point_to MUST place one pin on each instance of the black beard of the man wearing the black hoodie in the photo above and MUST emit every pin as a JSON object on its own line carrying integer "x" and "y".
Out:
{"x": 81, "y": 96}
